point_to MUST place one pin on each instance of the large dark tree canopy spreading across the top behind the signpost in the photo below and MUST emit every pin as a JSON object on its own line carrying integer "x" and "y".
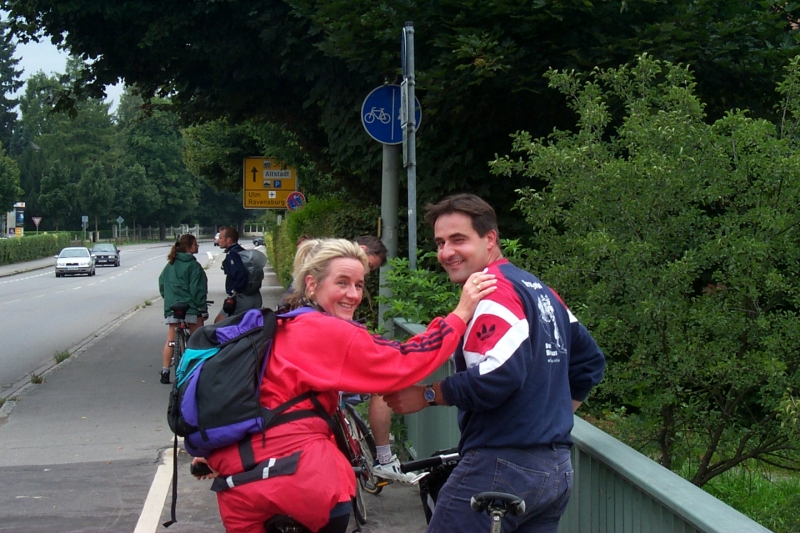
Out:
{"x": 306, "y": 66}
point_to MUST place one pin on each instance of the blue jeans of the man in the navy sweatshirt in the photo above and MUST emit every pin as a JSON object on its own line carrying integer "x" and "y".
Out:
{"x": 542, "y": 476}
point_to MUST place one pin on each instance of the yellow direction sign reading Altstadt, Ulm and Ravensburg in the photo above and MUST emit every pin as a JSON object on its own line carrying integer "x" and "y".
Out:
{"x": 267, "y": 183}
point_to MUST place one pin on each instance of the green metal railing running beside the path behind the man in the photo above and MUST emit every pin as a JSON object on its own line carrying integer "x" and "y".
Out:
{"x": 617, "y": 489}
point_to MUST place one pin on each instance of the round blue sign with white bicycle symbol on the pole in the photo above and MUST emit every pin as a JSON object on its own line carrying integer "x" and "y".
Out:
{"x": 380, "y": 114}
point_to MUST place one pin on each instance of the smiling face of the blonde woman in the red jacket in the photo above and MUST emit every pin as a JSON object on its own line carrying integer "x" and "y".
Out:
{"x": 342, "y": 288}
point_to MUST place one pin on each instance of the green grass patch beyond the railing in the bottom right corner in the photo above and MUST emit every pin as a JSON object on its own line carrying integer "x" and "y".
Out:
{"x": 770, "y": 498}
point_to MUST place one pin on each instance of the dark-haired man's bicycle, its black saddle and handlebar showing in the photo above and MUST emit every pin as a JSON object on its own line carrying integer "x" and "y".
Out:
{"x": 437, "y": 469}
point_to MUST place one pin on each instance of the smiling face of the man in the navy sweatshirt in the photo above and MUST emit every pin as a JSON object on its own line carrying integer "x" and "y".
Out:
{"x": 460, "y": 250}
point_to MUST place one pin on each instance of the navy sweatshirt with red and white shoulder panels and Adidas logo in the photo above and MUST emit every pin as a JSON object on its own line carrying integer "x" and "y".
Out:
{"x": 522, "y": 361}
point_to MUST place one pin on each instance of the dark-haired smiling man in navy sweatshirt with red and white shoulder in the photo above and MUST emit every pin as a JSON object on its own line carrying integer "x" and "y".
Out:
{"x": 524, "y": 366}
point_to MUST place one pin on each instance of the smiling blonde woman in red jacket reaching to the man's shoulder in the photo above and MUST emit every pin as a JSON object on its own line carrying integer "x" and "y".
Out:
{"x": 325, "y": 352}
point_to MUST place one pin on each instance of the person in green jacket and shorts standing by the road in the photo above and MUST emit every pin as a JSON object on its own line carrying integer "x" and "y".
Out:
{"x": 182, "y": 280}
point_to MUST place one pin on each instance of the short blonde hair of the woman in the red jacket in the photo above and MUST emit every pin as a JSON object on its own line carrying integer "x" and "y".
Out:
{"x": 313, "y": 258}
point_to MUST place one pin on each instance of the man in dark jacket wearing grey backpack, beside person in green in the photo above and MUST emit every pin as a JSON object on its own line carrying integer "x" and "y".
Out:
{"x": 244, "y": 272}
